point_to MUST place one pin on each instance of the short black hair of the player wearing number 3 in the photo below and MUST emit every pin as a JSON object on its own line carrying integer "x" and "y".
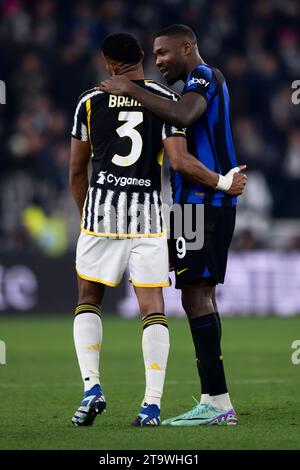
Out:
{"x": 122, "y": 47}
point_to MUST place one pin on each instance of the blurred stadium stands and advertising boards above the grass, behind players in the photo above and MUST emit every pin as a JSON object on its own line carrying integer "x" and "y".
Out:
{"x": 49, "y": 55}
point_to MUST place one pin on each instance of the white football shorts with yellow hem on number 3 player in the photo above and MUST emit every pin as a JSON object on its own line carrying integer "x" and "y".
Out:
{"x": 105, "y": 260}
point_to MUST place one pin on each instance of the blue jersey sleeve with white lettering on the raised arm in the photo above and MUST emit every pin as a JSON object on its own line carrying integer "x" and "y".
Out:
{"x": 201, "y": 81}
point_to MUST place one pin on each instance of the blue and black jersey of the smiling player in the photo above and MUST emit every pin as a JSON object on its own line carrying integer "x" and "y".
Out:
{"x": 209, "y": 139}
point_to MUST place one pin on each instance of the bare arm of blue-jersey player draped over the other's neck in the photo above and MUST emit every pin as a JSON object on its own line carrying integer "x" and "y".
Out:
{"x": 180, "y": 113}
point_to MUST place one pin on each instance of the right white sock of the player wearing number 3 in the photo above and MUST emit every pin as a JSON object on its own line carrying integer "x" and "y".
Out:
{"x": 155, "y": 345}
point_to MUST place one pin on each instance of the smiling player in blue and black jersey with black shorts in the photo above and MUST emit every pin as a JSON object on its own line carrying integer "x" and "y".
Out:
{"x": 204, "y": 109}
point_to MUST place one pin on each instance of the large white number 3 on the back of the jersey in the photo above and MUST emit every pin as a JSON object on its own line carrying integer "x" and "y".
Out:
{"x": 133, "y": 119}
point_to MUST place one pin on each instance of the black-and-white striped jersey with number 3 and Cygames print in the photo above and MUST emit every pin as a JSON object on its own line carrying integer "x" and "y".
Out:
{"x": 124, "y": 195}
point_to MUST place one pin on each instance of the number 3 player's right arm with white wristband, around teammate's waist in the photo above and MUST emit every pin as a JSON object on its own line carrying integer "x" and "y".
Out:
{"x": 181, "y": 160}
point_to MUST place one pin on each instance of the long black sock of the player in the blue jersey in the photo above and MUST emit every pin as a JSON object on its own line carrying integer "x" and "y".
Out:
{"x": 206, "y": 337}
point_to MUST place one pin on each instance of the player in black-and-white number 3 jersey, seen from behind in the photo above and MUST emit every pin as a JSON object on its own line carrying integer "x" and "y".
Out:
{"x": 121, "y": 219}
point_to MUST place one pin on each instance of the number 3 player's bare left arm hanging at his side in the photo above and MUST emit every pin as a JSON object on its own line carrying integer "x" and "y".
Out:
{"x": 78, "y": 171}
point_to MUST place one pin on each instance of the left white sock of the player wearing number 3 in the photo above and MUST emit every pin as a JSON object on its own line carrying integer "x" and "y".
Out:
{"x": 88, "y": 338}
